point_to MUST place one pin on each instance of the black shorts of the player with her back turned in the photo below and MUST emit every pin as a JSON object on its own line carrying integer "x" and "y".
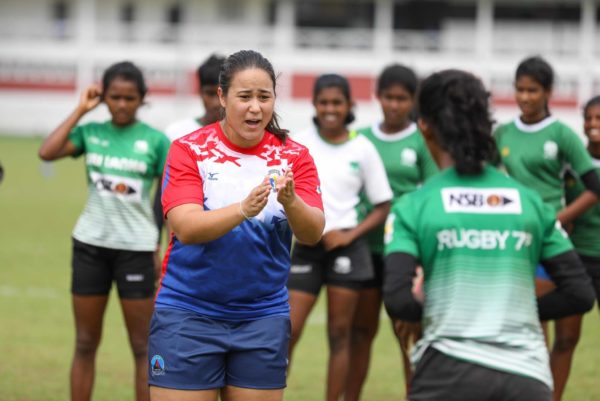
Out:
{"x": 439, "y": 377}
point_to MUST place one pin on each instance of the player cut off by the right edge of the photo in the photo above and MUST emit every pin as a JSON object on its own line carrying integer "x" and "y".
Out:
{"x": 586, "y": 227}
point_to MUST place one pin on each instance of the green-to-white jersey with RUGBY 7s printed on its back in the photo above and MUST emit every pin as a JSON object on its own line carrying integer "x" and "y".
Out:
{"x": 479, "y": 239}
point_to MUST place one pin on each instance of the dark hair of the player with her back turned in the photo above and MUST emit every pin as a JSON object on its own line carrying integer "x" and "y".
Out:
{"x": 455, "y": 105}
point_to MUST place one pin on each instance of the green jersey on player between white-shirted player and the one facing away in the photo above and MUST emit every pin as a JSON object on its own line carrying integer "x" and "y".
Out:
{"x": 407, "y": 163}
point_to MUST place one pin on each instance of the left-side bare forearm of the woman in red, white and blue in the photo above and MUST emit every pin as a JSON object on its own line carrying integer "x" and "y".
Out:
{"x": 196, "y": 226}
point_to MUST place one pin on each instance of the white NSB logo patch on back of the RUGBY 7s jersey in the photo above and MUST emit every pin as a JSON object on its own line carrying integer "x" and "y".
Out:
{"x": 481, "y": 200}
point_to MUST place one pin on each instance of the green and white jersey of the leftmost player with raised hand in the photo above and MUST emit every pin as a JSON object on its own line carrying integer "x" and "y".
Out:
{"x": 121, "y": 164}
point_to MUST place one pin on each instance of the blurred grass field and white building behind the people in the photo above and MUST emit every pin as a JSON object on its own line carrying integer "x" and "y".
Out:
{"x": 51, "y": 49}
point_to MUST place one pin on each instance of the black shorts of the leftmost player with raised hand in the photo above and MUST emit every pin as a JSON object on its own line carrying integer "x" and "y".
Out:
{"x": 95, "y": 268}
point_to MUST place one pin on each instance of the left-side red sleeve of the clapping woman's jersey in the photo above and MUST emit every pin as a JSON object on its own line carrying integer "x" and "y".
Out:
{"x": 182, "y": 182}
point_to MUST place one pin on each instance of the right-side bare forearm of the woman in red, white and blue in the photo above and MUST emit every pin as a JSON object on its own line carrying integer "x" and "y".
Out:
{"x": 307, "y": 222}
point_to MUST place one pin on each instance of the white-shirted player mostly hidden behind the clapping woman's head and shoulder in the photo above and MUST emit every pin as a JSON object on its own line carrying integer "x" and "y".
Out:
{"x": 208, "y": 79}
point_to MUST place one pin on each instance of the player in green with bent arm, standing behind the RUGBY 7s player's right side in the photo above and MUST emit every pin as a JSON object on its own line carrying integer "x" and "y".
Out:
{"x": 535, "y": 149}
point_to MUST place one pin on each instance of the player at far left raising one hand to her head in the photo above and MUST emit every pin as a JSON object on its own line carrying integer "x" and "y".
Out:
{"x": 115, "y": 237}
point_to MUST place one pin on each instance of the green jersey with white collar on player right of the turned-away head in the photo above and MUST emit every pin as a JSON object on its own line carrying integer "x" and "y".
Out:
{"x": 536, "y": 155}
